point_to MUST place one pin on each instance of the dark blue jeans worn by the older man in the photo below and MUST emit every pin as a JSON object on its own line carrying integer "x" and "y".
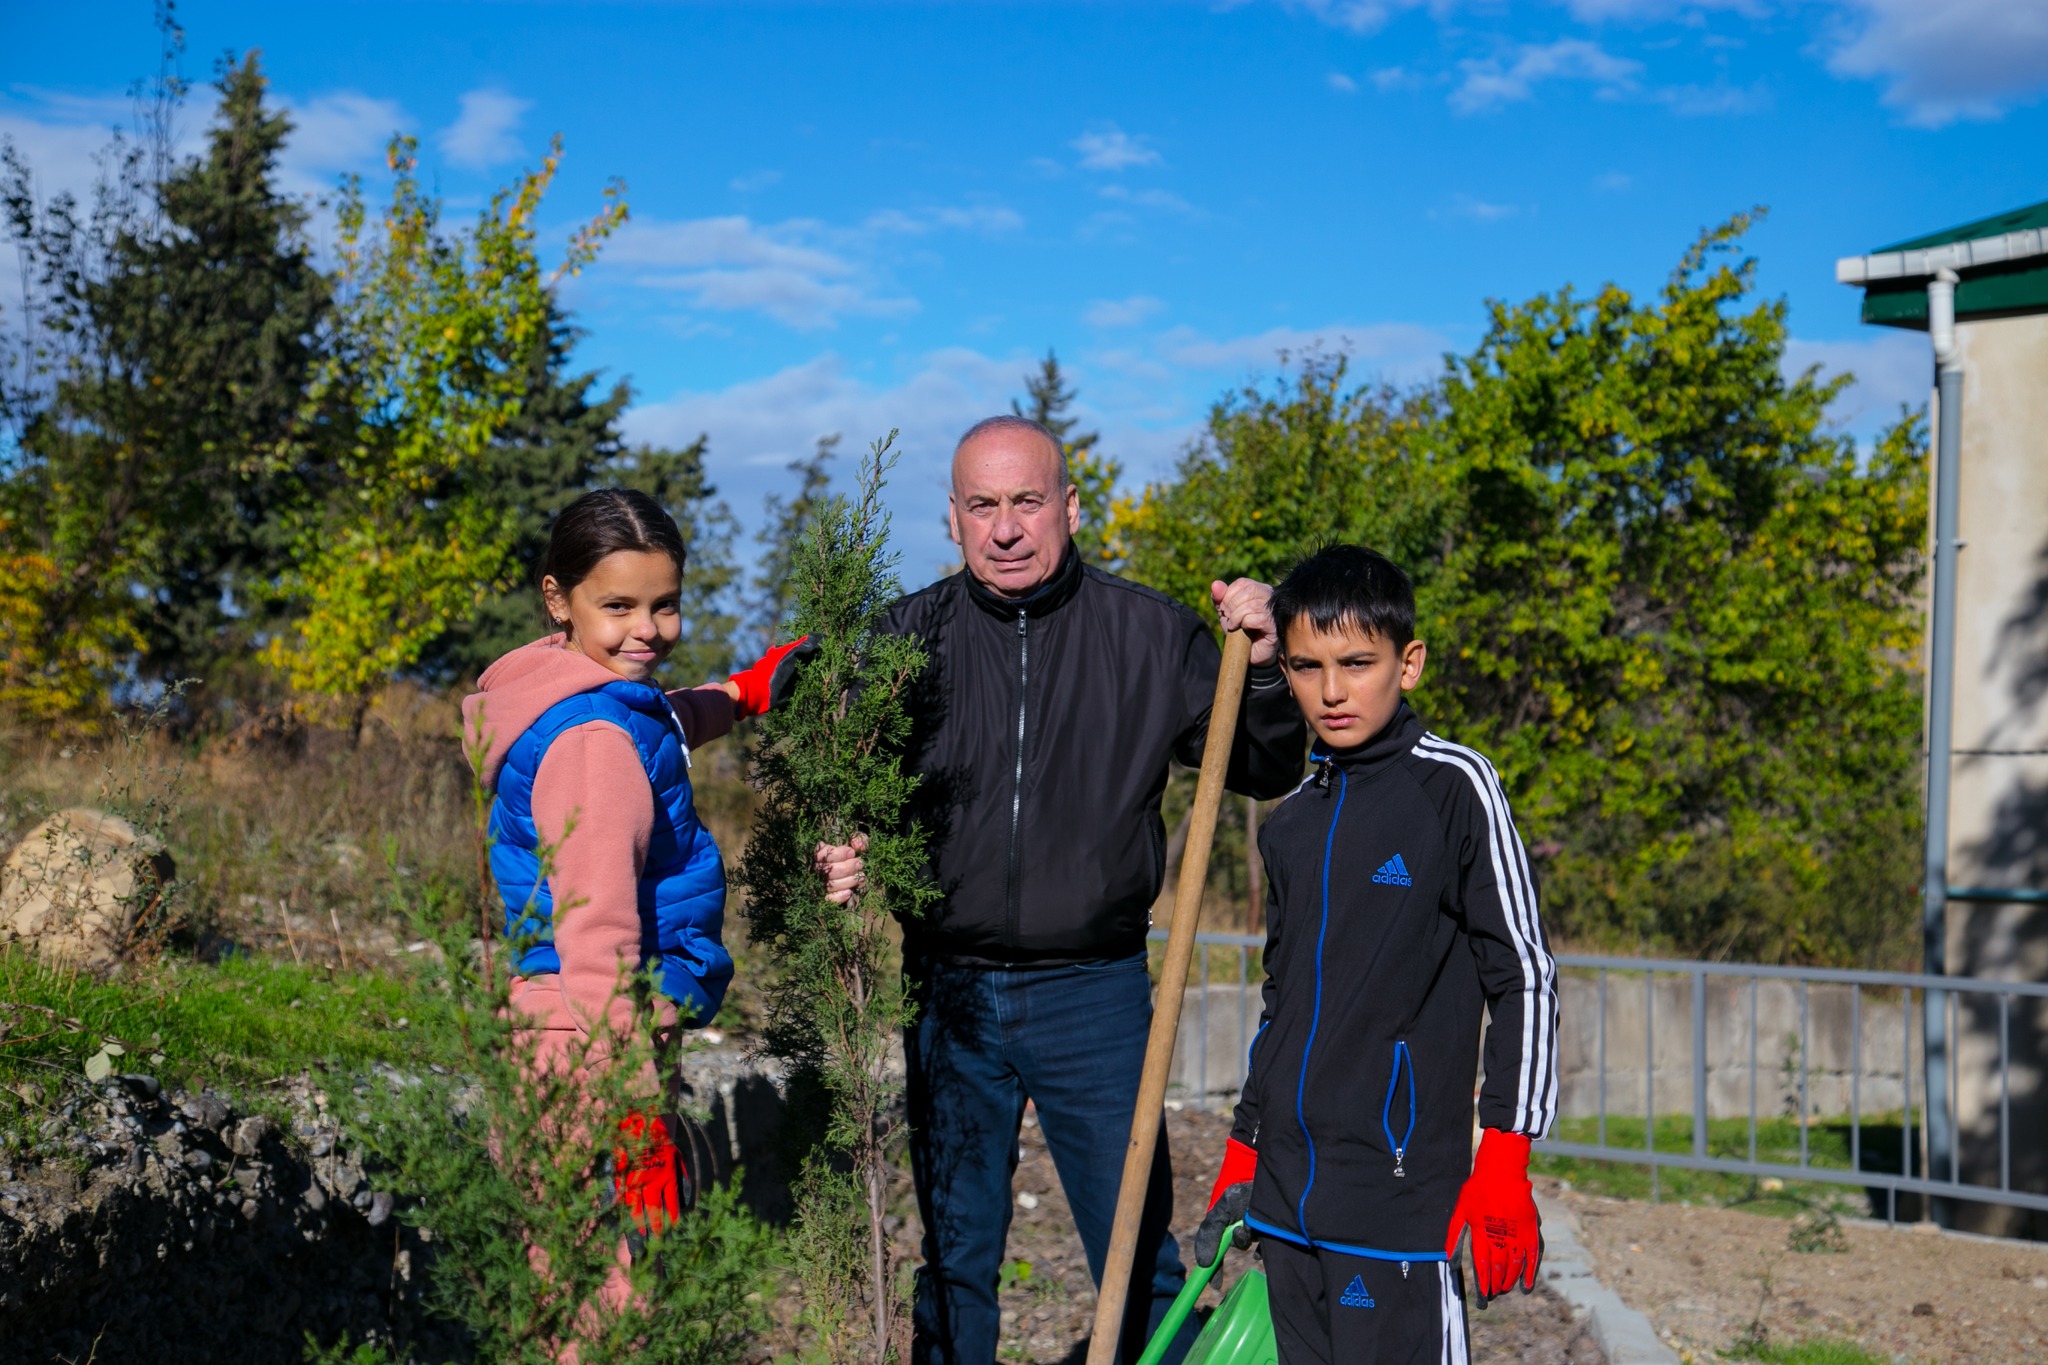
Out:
{"x": 1072, "y": 1041}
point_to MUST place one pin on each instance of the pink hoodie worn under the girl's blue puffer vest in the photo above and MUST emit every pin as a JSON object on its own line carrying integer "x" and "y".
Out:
{"x": 593, "y": 775}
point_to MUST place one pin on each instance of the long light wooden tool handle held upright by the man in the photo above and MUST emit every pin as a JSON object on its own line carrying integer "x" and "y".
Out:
{"x": 1166, "y": 1012}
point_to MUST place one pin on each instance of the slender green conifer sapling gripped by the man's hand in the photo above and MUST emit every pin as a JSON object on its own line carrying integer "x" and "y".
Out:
{"x": 828, "y": 768}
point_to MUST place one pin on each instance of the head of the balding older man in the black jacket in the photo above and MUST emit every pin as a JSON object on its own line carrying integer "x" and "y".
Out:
{"x": 1009, "y": 513}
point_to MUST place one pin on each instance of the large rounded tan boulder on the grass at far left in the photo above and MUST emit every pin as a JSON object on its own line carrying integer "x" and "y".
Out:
{"x": 77, "y": 885}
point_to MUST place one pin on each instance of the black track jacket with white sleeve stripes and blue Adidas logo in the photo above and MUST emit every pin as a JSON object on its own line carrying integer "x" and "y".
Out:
{"x": 1402, "y": 906}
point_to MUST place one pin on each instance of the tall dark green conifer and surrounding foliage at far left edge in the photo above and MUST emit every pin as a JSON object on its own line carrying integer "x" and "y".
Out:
{"x": 163, "y": 351}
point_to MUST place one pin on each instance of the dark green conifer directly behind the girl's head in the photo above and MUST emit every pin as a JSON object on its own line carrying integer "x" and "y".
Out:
{"x": 564, "y": 443}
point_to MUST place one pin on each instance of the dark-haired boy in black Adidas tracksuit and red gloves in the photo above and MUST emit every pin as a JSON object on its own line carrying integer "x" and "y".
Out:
{"x": 1400, "y": 908}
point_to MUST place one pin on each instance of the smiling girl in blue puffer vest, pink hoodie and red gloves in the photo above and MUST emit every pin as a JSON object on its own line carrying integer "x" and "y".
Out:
{"x": 591, "y": 760}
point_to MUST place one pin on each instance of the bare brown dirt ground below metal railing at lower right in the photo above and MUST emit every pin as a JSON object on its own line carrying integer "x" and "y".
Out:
{"x": 1705, "y": 1276}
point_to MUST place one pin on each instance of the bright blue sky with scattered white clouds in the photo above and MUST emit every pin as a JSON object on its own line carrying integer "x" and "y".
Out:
{"x": 863, "y": 216}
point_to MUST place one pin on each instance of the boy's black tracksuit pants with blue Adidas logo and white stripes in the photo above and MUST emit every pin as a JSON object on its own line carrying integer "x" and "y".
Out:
{"x": 1355, "y": 1311}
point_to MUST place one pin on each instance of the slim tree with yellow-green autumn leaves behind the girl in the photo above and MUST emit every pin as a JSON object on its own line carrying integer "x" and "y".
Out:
{"x": 435, "y": 351}
